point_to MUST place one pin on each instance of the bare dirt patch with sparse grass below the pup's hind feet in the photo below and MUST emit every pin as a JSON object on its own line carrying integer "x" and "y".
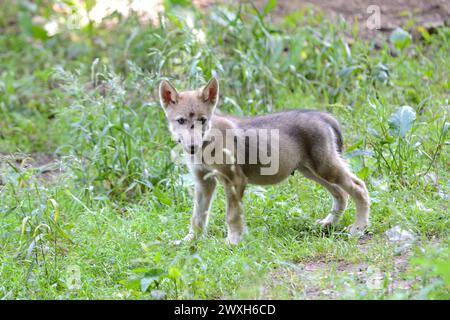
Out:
{"x": 316, "y": 278}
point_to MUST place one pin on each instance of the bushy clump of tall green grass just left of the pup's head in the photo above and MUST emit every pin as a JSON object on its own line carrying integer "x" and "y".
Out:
{"x": 112, "y": 140}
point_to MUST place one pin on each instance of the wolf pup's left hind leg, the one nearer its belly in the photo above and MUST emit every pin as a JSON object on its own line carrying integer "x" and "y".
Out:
{"x": 340, "y": 198}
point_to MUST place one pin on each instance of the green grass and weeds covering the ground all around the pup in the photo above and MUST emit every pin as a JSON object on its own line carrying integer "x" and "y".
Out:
{"x": 114, "y": 212}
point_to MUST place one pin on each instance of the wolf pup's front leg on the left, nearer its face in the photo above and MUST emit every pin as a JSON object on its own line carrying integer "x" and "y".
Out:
{"x": 204, "y": 189}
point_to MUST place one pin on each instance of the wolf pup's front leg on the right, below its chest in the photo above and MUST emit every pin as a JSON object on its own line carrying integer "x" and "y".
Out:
{"x": 234, "y": 190}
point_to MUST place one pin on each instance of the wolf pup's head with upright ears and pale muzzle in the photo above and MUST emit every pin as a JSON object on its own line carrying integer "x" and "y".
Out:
{"x": 189, "y": 112}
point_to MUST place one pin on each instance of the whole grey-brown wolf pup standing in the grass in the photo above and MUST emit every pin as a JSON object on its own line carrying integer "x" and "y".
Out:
{"x": 259, "y": 150}
